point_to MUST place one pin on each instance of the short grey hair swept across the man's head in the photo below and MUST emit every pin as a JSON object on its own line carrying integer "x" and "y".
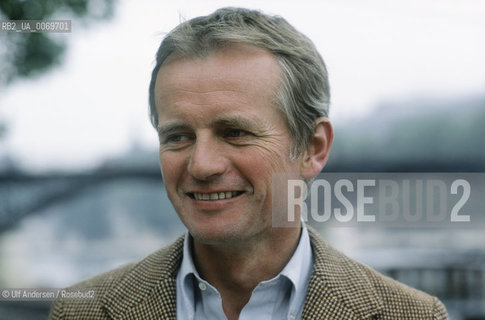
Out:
{"x": 304, "y": 93}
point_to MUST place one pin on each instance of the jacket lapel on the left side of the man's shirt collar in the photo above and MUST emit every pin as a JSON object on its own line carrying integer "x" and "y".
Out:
{"x": 147, "y": 291}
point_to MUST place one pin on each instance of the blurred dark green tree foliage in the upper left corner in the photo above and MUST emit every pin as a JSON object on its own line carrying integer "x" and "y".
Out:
{"x": 26, "y": 55}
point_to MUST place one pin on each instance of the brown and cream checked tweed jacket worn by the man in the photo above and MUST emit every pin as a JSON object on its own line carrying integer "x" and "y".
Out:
{"x": 339, "y": 288}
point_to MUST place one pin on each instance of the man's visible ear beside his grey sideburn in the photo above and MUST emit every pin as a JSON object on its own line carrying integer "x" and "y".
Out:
{"x": 316, "y": 154}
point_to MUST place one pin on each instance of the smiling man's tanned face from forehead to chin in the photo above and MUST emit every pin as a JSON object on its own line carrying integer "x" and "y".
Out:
{"x": 221, "y": 140}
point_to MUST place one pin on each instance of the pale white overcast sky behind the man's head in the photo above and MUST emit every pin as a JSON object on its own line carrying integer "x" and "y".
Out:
{"x": 95, "y": 105}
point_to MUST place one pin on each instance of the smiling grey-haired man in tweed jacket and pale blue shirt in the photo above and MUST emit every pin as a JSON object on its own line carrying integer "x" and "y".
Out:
{"x": 238, "y": 97}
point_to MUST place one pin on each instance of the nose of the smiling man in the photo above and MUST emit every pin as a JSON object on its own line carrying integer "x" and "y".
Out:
{"x": 206, "y": 160}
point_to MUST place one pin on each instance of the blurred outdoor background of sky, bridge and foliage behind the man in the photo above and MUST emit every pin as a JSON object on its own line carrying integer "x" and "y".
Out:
{"x": 80, "y": 186}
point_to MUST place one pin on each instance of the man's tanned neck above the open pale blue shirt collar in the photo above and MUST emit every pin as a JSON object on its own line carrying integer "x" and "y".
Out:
{"x": 236, "y": 269}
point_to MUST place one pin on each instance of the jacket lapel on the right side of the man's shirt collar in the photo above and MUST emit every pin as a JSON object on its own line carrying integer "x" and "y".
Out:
{"x": 338, "y": 288}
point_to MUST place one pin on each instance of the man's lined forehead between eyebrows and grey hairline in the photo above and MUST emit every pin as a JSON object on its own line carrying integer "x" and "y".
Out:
{"x": 239, "y": 70}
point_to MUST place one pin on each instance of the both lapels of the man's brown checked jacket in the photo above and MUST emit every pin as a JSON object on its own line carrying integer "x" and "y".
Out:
{"x": 338, "y": 286}
